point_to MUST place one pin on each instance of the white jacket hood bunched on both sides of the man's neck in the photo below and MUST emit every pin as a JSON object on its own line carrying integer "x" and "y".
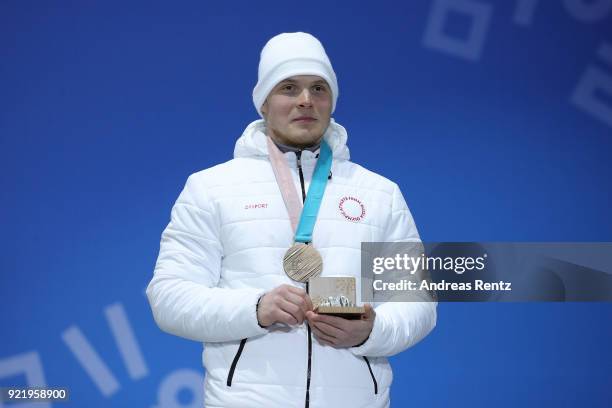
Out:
{"x": 253, "y": 143}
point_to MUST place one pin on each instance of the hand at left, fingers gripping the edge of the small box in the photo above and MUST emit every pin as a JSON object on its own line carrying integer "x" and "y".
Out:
{"x": 285, "y": 304}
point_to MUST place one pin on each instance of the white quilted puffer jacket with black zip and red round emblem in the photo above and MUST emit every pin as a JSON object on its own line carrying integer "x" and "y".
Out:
{"x": 223, "y": 249}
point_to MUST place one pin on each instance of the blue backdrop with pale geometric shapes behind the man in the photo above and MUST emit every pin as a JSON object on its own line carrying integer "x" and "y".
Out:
{"x": 494, "y": 117}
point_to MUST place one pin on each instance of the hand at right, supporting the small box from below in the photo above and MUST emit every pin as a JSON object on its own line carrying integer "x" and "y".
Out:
{"x": 338, "y": 332}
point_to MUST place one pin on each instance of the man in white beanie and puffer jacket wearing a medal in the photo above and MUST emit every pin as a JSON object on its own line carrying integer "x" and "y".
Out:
{"x": 219, "y": 278}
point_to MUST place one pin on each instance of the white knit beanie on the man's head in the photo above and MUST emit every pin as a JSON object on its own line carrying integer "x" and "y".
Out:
{"x": 289, "y": 54}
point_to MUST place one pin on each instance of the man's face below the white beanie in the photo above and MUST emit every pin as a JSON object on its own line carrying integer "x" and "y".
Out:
{"x": 298, "y": 110}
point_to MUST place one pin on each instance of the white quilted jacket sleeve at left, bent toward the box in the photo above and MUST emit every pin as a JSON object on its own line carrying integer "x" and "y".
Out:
{"x": 183, "y": 294}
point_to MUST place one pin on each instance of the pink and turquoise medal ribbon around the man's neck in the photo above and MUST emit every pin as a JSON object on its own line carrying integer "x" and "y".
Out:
{"x": 308, "y": 216}
